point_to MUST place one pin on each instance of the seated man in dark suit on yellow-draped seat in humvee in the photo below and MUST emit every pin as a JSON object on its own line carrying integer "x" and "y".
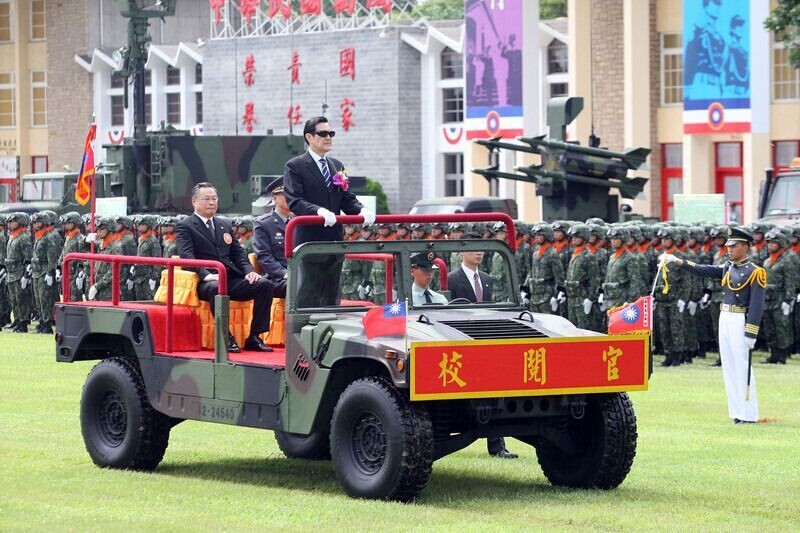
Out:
{"x": 204, "y": 236}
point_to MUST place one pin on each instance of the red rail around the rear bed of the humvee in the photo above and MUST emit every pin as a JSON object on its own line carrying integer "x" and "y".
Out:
{"x": 169, "y": 263}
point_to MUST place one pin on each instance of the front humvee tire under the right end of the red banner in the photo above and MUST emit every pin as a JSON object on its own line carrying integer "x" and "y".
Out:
{"x": 605, "y": 442}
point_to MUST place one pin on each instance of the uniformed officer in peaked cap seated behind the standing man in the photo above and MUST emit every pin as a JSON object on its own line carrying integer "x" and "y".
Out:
{"x": 270, "y": 233}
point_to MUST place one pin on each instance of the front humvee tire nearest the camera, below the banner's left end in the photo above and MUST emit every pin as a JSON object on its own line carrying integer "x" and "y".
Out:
{"x": 381, "y": 444}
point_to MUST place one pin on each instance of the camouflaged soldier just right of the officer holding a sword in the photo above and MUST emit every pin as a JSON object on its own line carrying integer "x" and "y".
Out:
{"x": 780, "y": 293}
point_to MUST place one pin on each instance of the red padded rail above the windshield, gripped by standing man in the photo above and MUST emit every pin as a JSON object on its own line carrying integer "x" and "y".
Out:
{"x": 511, "y": 232}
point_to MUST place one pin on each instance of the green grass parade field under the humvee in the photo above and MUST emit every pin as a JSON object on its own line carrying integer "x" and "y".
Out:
{"x": 694, "y": 469}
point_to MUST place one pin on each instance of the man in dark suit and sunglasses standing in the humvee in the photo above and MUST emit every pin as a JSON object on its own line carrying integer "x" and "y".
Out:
{"x": 313, "y": 186}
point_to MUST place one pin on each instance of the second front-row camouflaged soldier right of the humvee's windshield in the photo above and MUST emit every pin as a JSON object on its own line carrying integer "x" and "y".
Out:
{"x": 583, "y": 280}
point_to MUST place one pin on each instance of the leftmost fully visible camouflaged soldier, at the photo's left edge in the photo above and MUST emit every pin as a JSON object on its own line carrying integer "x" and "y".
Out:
{"x": 19, "y": 251}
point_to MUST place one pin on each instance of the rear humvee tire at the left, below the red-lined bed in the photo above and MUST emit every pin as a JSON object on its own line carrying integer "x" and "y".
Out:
{"x": 120, "y": 428}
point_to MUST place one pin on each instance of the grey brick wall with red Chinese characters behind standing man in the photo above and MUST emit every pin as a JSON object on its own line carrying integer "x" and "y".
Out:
{"x": 370, "y": 80}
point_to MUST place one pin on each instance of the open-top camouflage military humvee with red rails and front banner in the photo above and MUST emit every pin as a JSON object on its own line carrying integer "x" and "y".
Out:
{"x": 382, "y": 407}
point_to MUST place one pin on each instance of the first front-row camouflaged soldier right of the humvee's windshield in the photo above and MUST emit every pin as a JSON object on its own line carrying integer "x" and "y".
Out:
{"x": 545, "y": 280}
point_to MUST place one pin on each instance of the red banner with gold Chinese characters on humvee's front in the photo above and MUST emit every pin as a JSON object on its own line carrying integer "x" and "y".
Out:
{"x": 529, "y": 367}
